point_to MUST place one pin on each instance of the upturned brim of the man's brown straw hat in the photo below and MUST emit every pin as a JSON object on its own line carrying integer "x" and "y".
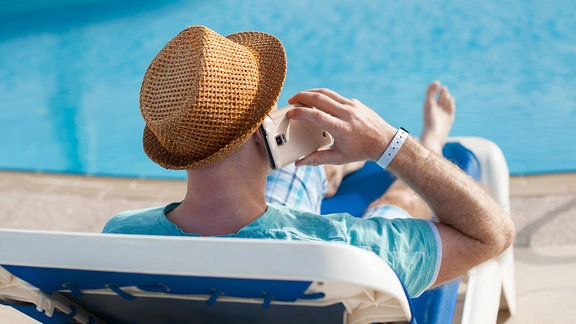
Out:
{"x": 272, "y": 62}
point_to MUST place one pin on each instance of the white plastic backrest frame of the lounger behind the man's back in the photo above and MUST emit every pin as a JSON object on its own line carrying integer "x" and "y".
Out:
{"x": 366, "y": 286}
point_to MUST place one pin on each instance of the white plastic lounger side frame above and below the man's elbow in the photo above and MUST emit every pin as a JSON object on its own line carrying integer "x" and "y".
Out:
{"x": 494, "y": 279}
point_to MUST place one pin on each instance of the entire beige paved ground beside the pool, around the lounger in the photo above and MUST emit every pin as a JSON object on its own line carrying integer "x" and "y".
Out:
{"x": 542, "y": 207}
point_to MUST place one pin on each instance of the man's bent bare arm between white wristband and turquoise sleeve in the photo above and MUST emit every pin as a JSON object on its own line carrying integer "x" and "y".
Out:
{"x": 473, "y": 227}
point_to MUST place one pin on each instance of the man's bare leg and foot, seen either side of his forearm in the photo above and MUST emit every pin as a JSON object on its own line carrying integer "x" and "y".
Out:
{"x": 438, "y": 119}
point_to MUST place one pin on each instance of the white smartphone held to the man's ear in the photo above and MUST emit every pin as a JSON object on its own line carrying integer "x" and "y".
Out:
{"x": 290, "y": 140}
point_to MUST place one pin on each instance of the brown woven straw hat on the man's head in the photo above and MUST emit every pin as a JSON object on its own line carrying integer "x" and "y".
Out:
{"x": 204, "y": 95}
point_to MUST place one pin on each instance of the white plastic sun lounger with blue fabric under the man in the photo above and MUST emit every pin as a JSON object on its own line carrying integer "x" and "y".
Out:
{"x": 90, "y": 278}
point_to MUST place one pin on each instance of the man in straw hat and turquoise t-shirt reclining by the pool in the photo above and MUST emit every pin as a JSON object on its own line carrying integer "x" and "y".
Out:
{"x": 203, "y": 98}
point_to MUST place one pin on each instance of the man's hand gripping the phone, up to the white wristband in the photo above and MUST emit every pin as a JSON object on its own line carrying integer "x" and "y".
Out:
{"x": 359, "y": 132}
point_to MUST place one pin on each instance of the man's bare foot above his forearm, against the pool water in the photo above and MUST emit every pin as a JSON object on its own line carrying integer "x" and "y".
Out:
{"x": 439, "y": 111}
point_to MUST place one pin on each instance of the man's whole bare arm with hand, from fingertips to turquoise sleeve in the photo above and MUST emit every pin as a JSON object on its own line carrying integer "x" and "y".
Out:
{"x": 473, "y": 227}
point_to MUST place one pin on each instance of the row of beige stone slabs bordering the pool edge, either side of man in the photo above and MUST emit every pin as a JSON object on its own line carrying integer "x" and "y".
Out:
{"x": 543, "y": 207}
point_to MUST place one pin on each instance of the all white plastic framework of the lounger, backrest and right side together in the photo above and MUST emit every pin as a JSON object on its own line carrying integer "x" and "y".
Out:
{"x": 335, "y": 274}
